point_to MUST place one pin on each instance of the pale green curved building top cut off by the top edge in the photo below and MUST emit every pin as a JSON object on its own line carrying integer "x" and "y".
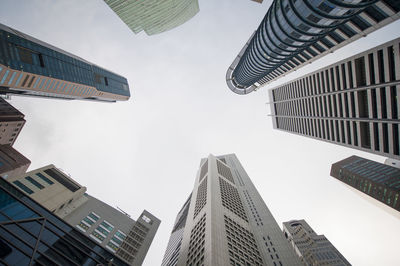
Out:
{"x": 154, "y": 16}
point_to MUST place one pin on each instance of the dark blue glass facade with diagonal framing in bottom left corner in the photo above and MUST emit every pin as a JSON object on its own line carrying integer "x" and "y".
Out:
{"x": 29, "y": 234}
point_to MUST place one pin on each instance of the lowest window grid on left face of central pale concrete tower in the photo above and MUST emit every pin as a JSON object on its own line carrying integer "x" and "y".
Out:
{"x": 197, "y": 242}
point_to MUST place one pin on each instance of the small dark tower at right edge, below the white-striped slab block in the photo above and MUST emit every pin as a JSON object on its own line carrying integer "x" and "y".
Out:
{"x": 377, "y": 180}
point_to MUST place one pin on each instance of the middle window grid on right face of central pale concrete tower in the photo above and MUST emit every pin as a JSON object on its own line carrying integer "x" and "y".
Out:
{"x": 231, "y": 199}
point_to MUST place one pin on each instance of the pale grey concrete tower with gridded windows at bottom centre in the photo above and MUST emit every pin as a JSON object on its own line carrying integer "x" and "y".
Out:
{"x": 226, "y": 222}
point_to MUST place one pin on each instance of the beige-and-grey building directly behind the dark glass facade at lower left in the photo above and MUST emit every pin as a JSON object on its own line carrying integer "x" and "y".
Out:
{"x": 112, "y": 229}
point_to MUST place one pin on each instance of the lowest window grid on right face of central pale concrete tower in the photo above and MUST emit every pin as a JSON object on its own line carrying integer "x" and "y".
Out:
{"x": 242, "y": 246}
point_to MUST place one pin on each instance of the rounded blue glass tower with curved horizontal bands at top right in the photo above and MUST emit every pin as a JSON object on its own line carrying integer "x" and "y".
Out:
{"x": 294, "y": 33}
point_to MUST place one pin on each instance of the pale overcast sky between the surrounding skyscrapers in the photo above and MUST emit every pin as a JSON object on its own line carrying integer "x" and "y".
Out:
{"x": 144, "y": 153}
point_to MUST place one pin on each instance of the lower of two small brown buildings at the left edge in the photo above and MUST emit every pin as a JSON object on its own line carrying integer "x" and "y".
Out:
{"x": 12, "y": 163}
